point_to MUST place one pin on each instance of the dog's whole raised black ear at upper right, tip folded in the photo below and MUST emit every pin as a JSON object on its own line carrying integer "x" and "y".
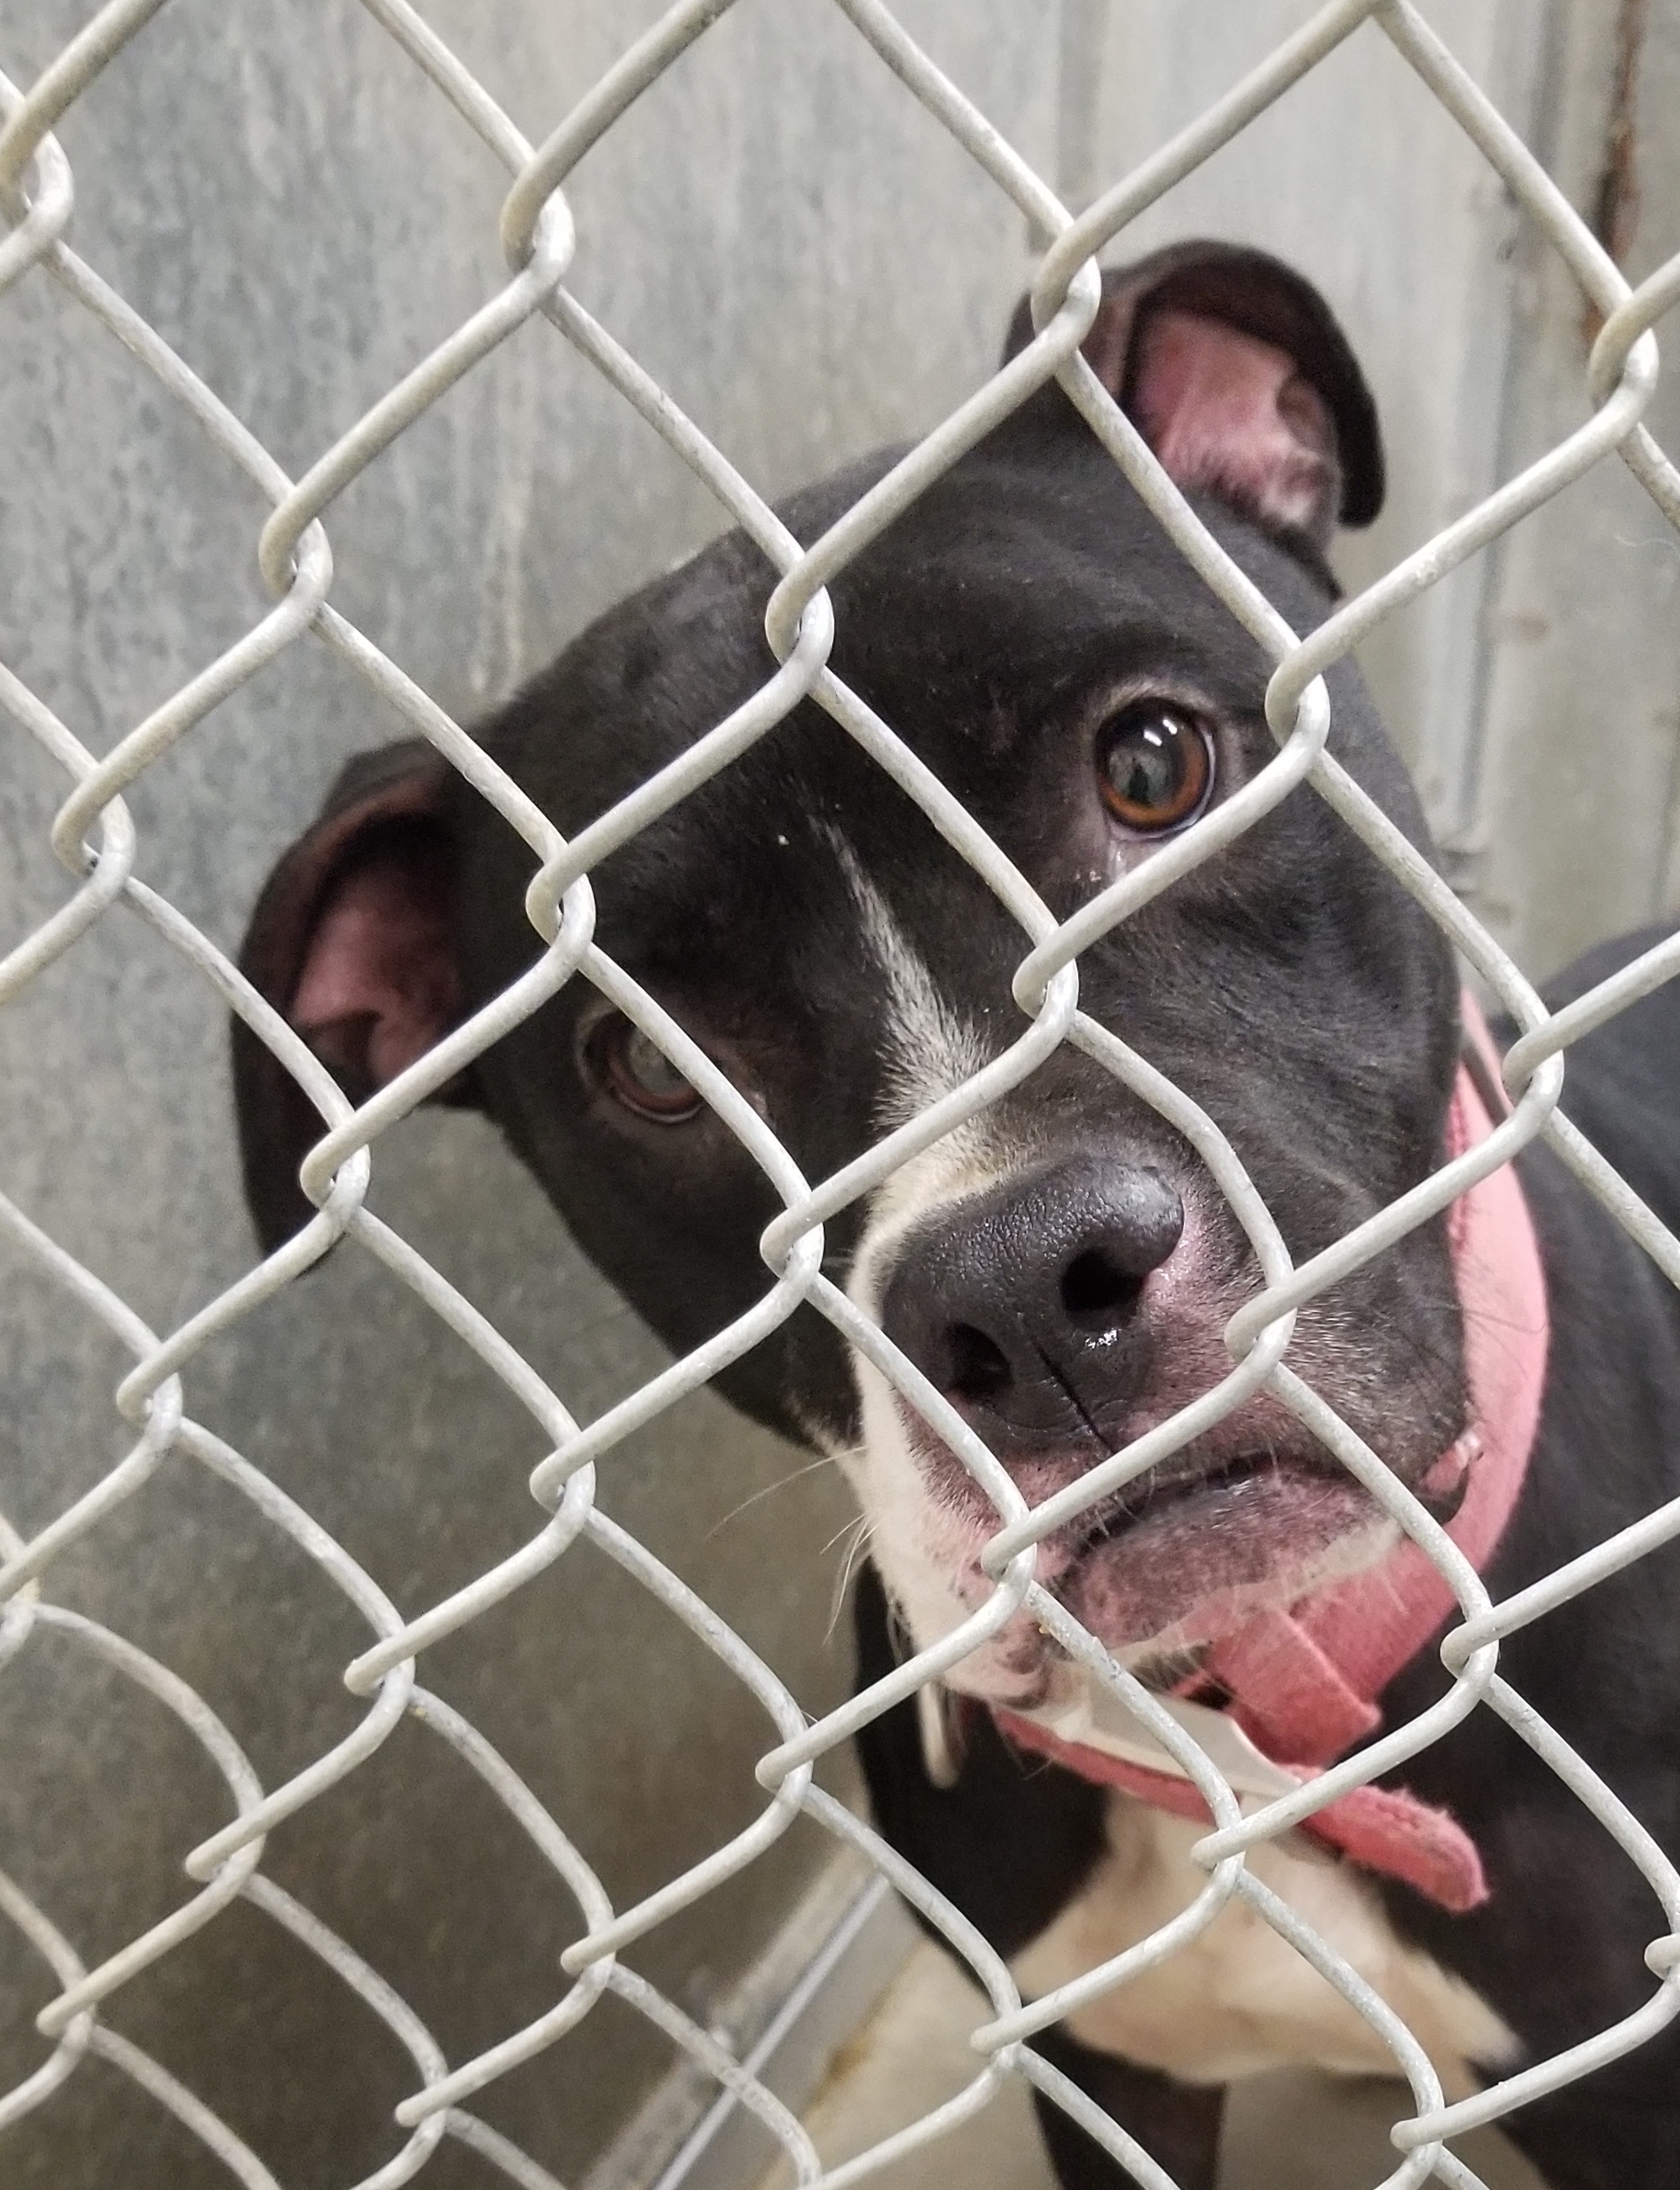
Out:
{"x": 1243, "y": 384}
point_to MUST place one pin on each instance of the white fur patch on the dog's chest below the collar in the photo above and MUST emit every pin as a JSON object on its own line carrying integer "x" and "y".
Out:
{"x": 1239, "y": 2001}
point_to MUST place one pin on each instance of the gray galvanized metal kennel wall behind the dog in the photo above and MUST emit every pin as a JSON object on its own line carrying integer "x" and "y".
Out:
{"x": 812, "y": 268}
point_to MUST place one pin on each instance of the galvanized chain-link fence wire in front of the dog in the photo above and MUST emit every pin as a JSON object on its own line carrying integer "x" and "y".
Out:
{"x": 95, "y": 840}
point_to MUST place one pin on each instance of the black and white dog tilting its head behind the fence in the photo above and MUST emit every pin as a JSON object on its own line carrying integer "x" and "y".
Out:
{"x": 1063, "y": 1267}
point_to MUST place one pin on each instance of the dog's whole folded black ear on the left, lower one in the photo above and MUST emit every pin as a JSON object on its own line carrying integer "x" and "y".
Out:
{"x": 354, "y": 943}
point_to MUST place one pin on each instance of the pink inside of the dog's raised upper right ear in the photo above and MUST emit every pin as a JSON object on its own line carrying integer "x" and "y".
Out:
{"x": 1234, "y": 415}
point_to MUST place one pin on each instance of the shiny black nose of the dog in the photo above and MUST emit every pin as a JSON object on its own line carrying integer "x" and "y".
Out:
{"x": 1022, "y": 1302}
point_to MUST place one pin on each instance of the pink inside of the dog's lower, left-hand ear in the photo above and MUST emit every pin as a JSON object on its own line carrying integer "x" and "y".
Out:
{"x": 378, "y": 984}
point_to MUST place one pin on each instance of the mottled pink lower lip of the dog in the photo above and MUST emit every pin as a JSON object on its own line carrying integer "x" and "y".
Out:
{"x": 1206, "y": 1560}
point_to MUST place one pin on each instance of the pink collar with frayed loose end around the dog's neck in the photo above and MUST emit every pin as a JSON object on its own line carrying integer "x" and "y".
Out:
{"x": 1302, "y": 1685}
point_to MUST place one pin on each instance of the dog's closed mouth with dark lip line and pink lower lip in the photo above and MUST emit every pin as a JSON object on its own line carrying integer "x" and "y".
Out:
{"x": 1193, "y": 1556}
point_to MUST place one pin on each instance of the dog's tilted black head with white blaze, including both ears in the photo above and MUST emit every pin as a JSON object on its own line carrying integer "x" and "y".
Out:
{"x": 1061, "y": 1267}
